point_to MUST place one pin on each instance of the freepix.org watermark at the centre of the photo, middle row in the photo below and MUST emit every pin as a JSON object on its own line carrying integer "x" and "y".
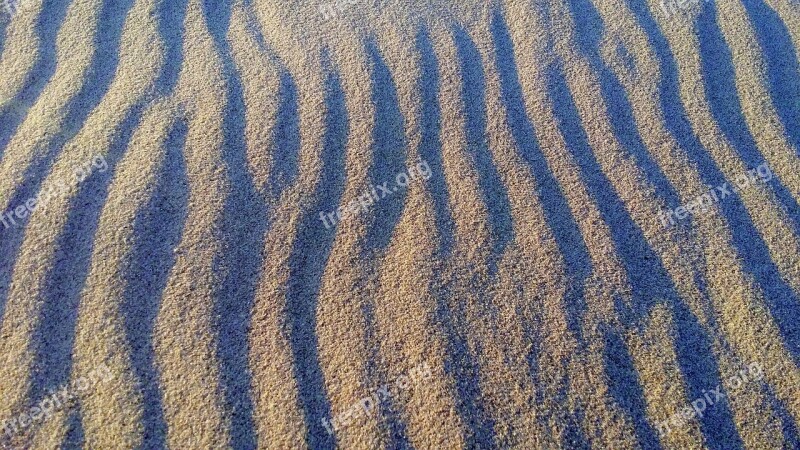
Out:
{"x": 376, "y": 193}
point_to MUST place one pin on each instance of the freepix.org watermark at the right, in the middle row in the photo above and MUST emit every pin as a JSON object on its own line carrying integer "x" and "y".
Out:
{"x": 702, "y": 203}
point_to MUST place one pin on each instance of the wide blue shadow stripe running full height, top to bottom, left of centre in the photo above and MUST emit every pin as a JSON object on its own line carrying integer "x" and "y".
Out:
{"x": 243, "y": 229}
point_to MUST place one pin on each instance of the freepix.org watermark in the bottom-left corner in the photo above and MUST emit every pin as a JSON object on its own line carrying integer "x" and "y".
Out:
{"x": 55, "y": 401}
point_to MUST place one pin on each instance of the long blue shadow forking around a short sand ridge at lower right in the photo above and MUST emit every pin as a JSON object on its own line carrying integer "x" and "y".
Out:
{"x": 650, "y": 282}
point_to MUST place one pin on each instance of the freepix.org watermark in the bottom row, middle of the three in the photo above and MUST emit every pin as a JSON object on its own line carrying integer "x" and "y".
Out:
{"x": 366, "y": 406}
